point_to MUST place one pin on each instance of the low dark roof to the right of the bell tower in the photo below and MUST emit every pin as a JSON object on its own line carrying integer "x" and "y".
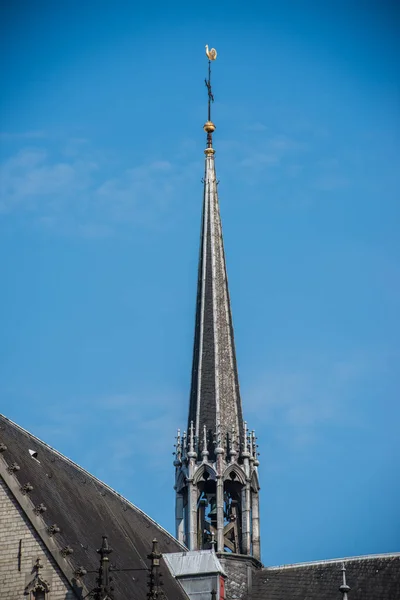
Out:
{"x": 370, "y": 578}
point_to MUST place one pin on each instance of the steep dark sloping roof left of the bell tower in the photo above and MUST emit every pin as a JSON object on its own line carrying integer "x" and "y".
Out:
{"x": 84, "y": 509}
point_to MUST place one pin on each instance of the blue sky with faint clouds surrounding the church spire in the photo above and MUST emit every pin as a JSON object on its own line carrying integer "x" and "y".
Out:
{"x": 101, "y": 166}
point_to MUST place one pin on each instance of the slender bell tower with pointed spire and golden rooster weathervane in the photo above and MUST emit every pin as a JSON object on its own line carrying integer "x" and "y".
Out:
{"x": 216, "y": 459}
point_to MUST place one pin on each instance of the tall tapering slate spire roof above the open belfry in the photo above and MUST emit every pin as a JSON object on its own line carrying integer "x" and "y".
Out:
{"x": 214, "y": 396}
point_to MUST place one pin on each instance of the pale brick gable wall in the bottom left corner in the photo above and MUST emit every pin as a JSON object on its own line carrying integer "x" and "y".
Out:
{"x": 16, "y": 572}
